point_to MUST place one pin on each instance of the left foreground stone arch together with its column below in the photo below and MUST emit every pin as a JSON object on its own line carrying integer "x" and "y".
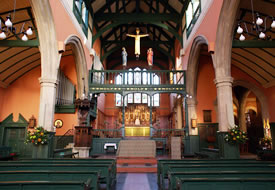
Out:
{"x": 49, "y": 61}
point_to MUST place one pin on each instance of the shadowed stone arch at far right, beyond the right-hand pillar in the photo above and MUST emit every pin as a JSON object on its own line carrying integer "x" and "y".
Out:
{"x": 258, "y": 93}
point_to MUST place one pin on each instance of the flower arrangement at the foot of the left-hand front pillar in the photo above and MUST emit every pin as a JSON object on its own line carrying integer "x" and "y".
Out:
{"x": 38, "y": 136}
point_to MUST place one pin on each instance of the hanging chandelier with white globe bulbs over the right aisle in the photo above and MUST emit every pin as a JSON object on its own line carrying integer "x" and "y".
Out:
{"x": 259, "y": 26}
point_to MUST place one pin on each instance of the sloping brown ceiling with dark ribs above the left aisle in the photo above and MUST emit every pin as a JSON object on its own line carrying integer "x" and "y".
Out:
{"x": 16, "y": 56}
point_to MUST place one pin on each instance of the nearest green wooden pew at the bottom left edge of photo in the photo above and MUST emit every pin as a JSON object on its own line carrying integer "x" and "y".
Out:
{"x": 45, "y": 185}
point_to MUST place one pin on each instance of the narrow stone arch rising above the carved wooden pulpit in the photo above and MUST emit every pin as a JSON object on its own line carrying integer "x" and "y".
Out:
{"x": 81, "y": 64}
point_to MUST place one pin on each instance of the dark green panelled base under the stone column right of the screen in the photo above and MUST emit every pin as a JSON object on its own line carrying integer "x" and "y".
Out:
{"x": 191, "y": 144}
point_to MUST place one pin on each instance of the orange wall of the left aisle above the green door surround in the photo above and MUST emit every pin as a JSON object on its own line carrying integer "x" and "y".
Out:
{"x": 22, "y": 96}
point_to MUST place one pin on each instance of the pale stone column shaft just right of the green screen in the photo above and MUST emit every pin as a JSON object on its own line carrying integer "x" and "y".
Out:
{"x": 192, "y": 114}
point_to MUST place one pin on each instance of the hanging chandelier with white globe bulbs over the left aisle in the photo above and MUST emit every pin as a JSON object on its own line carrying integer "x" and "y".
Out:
{"x": 8, "y": 27}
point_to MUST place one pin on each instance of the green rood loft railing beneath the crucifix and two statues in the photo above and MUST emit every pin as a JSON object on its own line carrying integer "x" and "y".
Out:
{"x": 116, "y": 81}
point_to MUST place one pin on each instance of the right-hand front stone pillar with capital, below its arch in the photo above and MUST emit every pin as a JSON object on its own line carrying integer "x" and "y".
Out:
{"x": 225, "y": 103}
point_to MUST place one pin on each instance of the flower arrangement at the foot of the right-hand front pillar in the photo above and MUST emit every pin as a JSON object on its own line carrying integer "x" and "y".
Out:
{"x": 236, "y": 136}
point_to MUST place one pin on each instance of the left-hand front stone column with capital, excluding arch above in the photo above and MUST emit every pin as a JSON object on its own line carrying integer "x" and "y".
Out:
{"x": 47, "y": 102}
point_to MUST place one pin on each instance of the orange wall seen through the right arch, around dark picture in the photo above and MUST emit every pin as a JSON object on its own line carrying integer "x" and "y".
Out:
{"x": 206, "y": 89}
